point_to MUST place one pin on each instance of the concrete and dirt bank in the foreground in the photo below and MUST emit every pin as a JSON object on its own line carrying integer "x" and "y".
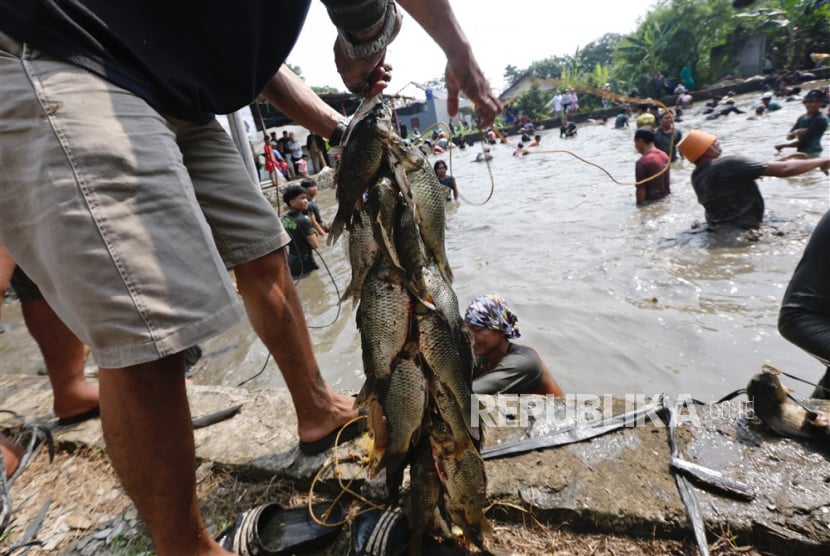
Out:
{"x": 613, "y": 494}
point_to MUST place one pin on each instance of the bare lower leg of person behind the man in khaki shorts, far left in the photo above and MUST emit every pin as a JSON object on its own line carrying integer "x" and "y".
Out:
{"x": 65, "y": 357}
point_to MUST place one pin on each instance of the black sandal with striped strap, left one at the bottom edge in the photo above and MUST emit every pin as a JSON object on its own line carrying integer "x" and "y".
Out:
{"x": 271, "y": 529}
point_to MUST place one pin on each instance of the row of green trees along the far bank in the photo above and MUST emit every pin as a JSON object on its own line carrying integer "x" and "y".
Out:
{"x": 679, "y": 33}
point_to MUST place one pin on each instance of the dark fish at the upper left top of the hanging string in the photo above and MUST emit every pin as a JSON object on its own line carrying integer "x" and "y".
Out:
{"x": 365, "y": 154}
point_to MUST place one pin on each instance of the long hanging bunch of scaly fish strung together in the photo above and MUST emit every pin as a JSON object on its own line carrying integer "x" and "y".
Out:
{"x": 417, "y": 354}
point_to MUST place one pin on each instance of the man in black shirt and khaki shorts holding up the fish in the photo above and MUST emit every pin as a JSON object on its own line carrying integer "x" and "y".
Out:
{"x": 140, "y": 201}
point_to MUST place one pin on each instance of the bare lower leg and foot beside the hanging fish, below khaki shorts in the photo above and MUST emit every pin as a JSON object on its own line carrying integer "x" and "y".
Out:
{"x": 276, "y": 315}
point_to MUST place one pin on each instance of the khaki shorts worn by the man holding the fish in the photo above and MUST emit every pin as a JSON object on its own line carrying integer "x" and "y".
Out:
{"x": 125, "y": 219}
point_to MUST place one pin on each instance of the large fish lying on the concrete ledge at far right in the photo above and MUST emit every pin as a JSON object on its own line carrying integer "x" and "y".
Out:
{"x": 771, "y": 403}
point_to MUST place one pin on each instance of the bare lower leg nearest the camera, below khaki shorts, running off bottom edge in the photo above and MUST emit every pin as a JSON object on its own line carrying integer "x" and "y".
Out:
{"x": 147, "y": 428}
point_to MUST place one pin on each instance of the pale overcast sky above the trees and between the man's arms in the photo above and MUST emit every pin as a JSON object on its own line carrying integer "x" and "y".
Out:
{"x": 502, "y": 33}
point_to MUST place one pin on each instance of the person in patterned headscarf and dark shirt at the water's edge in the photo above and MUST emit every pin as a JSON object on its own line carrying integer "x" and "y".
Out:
{"x": 502, "y": 366}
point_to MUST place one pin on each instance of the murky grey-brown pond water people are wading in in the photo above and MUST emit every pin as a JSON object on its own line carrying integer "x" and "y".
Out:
{"x": 617, "y": 299}
